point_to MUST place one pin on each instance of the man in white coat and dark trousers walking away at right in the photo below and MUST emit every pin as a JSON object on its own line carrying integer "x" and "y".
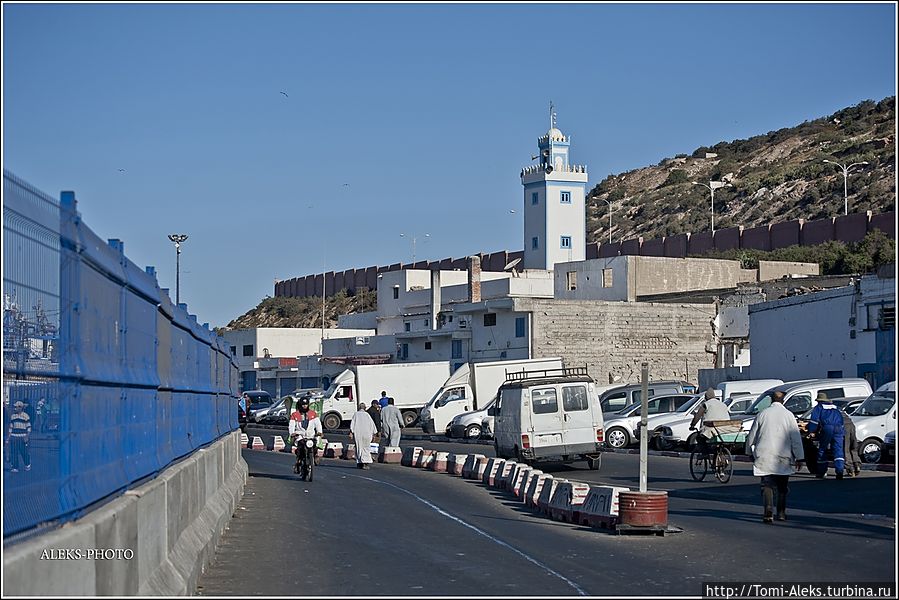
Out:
{"x": 776, "y": 447}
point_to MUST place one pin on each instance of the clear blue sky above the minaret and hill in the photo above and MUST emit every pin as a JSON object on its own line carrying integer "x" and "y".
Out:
{"x": 427, "y": 111}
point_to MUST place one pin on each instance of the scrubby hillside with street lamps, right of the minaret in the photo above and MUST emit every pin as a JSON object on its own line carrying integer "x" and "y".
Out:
{"x": 777, "y": 176}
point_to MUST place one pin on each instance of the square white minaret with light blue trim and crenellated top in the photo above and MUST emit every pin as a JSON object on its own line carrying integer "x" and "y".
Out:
{"x": 555, "y": 222}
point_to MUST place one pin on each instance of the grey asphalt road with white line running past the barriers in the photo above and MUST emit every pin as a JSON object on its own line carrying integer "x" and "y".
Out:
{"x": 399, "y": 531}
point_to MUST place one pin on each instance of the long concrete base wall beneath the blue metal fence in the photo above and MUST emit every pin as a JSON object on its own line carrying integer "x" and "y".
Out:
{"x": 169, "y": 526}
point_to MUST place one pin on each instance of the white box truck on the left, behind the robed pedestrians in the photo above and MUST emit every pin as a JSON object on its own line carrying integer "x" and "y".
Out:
{"x": 409, "y": 384}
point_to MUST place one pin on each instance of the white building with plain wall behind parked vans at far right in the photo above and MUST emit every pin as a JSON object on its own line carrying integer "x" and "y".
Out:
{"x": 842, "y": 332}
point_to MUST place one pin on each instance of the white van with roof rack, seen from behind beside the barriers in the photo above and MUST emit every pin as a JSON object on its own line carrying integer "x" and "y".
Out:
{"x": 549, "y": 415}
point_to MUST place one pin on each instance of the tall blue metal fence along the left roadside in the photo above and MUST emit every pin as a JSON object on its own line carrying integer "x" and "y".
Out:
{"x": 117, "y": 382}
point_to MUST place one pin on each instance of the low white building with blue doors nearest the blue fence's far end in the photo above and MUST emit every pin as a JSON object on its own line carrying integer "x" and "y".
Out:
{"x": 267, "y": 356}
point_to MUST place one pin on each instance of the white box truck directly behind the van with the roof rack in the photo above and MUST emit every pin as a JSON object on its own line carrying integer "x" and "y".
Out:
{"x": 472, "y": 386}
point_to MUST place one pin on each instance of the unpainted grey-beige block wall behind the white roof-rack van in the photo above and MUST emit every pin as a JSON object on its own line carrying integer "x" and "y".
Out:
{"x": 613, "y": 338}
